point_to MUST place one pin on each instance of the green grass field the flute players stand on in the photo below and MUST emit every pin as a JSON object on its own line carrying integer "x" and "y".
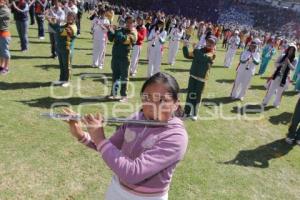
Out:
{"x": 40, "y": 159}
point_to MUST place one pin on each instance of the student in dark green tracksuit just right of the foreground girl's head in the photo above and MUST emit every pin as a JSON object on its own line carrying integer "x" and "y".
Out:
{"x": 202, "y": 61}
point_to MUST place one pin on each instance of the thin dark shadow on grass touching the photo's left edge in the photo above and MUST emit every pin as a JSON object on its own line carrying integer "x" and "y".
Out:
{"x": 23, "y": 85}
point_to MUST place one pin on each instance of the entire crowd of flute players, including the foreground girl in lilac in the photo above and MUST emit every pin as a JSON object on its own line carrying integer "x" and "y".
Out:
{"x": 143, "y": 167}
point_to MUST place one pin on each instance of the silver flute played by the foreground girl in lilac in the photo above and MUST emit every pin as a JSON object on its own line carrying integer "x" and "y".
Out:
{"x": 108, "y": 121}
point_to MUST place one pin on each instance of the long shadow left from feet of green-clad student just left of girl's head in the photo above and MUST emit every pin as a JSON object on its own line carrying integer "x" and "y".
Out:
{"x": 49, "y": 102}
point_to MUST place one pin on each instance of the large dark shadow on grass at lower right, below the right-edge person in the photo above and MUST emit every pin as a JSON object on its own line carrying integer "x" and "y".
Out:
{"x": 260, "y": 156}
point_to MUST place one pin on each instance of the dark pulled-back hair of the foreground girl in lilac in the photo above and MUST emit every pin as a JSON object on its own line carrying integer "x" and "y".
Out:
{"x": 170, "y": 83}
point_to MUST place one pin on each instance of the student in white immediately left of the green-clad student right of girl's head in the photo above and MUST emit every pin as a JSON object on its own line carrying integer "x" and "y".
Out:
{"x": 175, "y": 37}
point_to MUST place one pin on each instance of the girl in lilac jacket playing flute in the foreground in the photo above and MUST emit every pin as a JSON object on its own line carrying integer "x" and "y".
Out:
{"x": 142, "y": 158}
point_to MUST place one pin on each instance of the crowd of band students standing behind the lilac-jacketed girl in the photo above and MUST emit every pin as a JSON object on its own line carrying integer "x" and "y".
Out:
{"x": 157, "y": 28}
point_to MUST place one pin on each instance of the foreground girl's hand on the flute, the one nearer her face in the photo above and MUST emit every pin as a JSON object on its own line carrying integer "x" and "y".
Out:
{"x": 94, "y": 126}
